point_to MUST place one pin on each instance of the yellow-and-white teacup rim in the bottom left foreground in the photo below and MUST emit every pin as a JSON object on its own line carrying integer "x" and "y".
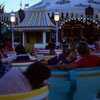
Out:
{"x": 38, "y": 94}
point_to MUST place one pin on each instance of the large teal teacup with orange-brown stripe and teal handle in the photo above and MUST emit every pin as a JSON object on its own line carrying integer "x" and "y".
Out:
{"x": 76, "y": 84}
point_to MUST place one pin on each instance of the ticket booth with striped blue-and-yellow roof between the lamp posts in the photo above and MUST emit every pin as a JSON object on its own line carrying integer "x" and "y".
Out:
{"x": 36, "y": 21}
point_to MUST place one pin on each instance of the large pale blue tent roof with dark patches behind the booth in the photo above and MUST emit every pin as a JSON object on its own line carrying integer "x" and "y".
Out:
{"x": 66, "y": 4}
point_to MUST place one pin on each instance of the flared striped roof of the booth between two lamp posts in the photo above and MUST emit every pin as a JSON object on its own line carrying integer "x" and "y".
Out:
{"x": 36, "y": 21}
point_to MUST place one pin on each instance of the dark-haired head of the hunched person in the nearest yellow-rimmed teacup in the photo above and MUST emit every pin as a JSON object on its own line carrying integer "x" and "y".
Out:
{"x": 36, "y": 74}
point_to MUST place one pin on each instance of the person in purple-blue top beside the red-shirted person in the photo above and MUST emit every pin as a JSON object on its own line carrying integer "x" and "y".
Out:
{"x": 66, "y": 57}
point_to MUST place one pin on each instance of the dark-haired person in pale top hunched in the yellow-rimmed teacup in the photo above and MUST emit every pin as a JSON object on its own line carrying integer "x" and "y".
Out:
{"x": 15, "y": 81}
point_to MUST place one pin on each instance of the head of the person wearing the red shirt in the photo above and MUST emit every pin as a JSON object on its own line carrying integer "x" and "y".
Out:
{"x": 83, "y": 48}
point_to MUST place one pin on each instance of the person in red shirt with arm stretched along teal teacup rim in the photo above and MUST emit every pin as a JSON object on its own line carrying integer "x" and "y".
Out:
{"x": 85, "y": 60}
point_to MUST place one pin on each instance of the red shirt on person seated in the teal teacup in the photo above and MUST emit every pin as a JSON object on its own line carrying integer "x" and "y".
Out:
{"x": 88, "y": 61}
